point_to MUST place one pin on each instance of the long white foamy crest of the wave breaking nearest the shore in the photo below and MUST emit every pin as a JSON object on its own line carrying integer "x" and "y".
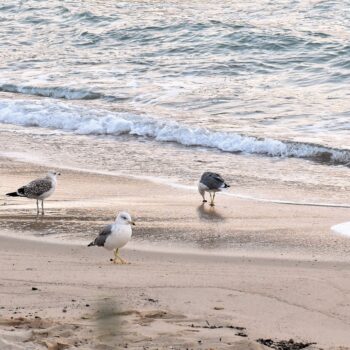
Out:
{"x": 80, "y": 120}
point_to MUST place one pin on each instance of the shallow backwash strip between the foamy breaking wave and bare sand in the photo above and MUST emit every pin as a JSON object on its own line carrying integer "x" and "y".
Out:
{"x": 250, "y": 176}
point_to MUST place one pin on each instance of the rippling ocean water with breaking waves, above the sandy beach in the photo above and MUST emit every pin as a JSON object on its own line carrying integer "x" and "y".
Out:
{"x": 258, "y": 91}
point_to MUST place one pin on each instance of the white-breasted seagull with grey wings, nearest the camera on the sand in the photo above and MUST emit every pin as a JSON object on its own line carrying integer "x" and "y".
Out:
{"x": 115, "y": 236}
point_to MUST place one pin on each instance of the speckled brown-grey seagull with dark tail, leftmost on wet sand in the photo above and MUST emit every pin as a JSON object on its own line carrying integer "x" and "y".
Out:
{"x": 39, "y": 189}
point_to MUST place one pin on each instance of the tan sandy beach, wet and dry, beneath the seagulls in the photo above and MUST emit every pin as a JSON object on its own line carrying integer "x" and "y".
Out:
{"x": 56, "y": 293}
